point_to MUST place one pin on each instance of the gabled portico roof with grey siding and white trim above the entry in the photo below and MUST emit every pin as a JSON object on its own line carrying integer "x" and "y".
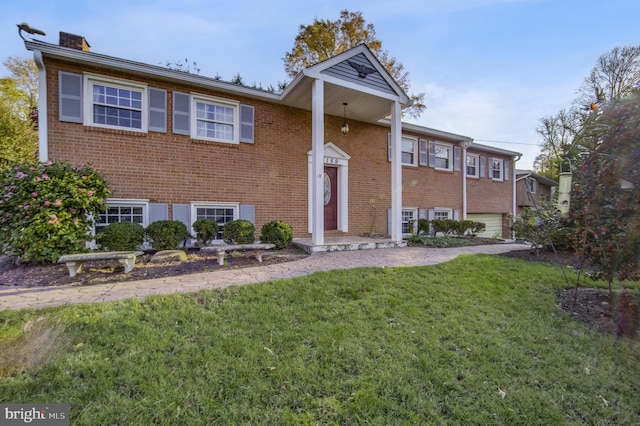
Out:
{"x": 355, "y": 77}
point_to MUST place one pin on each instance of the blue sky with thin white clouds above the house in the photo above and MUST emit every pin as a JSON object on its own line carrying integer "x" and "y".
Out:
{"x": 490, "y": 68}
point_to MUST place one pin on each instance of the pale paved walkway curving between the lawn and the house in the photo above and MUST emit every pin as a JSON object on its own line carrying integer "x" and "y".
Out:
{"x": 36, "y": 297}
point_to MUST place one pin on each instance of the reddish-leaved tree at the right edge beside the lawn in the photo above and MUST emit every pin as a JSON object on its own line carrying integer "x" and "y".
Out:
{"x": 606, "y": 193}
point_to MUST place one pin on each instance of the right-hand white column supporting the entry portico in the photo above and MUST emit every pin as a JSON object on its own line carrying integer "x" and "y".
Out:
{"x": 396, "y": 172}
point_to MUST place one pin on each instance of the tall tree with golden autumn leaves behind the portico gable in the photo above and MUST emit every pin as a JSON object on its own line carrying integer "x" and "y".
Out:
{"x": 325, "y": 38}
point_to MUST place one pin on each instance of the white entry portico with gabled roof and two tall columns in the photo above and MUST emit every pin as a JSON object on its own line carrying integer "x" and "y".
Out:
{"x": 355, "y": 78}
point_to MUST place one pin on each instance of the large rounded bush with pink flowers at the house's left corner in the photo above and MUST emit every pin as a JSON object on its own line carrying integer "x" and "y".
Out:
{"x": 46, "y": 209}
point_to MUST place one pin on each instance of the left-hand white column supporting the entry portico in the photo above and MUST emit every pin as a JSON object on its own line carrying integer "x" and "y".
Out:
{"x": 317, "y": 163}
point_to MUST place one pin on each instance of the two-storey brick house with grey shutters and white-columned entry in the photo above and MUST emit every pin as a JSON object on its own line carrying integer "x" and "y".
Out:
{"x": 175, "y": 145}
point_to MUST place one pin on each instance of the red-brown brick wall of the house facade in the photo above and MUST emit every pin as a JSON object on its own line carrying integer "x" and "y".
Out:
{"x": 270, "y": 174}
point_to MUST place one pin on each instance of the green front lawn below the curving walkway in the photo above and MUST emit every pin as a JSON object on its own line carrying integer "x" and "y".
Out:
{"x": 478, "y": 340}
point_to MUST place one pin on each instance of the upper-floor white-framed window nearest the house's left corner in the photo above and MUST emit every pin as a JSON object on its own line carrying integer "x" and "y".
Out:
{"x": 115, "y": 103}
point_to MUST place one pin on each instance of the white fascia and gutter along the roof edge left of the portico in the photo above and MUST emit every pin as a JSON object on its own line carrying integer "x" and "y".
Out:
{"x": 110, "y": 62}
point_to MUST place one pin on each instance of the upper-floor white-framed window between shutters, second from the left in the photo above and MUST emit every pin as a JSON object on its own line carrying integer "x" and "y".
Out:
{"x": 215, "y": 119}
